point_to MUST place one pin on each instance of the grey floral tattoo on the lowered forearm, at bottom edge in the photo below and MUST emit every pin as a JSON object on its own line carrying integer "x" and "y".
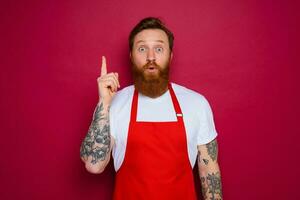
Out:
{"x": 211, "y": 185}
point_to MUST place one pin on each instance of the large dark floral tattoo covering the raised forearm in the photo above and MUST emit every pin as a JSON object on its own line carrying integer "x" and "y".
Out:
{"x": 97, "y": 141}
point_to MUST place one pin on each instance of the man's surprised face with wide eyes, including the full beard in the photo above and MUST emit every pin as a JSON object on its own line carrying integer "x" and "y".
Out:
{"x": 150, "y": 58}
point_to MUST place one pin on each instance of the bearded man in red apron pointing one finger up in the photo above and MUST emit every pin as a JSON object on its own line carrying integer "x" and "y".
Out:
{"x": 155, "y": 129}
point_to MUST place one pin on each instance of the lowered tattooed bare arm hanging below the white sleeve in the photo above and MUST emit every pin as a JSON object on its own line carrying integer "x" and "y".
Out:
{"x": 209, "y": 171}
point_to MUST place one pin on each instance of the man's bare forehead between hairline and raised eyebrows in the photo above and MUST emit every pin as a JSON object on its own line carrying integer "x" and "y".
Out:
{"x": 151, "y": 35}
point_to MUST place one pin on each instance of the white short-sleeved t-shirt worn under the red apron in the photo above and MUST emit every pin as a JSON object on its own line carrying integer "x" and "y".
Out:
{"x": 197, "y": 117}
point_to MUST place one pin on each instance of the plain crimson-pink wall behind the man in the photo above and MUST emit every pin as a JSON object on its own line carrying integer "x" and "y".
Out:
{"x": 241, "y": 55}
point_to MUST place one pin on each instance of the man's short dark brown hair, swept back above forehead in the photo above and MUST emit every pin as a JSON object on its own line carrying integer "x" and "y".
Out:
{"x": 150, "y": 23}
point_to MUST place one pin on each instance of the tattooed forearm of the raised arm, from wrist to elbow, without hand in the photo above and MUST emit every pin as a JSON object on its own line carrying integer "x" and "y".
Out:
{"x": 96, "y": 146}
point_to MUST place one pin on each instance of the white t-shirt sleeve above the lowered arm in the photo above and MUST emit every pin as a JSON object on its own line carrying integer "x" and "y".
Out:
{"x": 206, "y": 130}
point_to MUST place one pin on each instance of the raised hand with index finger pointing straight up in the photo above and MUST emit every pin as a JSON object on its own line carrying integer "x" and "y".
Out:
{"x": 107, "y": 83}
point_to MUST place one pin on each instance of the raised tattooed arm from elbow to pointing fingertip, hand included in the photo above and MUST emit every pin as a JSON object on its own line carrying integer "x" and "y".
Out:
{"x": 96, "y": 147}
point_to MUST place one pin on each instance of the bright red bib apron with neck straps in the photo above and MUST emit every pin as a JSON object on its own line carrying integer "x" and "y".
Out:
{"x": 156, "y": 164}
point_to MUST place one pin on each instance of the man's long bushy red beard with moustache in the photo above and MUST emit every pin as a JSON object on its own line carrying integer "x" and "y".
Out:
{"x": 151, "y": 84}
